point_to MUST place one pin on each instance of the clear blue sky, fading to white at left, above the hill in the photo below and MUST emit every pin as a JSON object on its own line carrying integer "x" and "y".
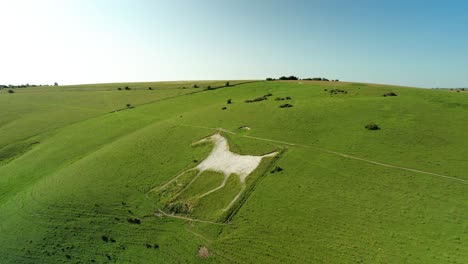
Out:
{"x": 414, "y": 43}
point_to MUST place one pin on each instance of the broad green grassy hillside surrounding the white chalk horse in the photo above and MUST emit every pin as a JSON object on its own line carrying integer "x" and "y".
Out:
{"x": 79, "y": 170}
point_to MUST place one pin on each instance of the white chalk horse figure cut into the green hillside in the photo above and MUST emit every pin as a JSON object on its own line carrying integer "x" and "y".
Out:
{"x": 222, "y": 160}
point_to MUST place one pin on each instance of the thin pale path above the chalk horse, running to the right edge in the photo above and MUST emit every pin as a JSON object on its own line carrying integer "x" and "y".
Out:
{"x": 339, "y": 154}
